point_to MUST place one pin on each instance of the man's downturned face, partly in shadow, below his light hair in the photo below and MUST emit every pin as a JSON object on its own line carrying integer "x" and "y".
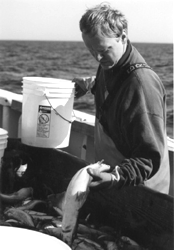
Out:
{"x": 107, "y": 51}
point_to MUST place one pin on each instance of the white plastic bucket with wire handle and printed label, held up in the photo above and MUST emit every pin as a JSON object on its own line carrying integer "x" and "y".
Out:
{"x": 46, "y": 112}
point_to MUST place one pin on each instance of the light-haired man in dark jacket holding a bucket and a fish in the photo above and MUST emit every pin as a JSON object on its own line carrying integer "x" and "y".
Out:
{"x": 130, "y": 127}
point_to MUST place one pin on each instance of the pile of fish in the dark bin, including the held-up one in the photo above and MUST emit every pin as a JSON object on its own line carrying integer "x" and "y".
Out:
{"x": 58, "y": 214}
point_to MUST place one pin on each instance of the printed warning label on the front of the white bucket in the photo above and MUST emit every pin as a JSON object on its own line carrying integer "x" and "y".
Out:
{"x": 43, "y": 121}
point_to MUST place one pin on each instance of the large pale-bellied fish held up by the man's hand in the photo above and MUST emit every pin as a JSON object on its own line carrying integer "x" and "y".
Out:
{"x": 75, "y": 196}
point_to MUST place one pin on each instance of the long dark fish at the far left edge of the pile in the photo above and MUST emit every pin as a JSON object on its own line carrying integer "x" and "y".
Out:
{"x": 16, "y": 197}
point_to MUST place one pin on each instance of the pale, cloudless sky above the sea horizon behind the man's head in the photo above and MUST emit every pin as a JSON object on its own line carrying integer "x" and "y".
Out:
{"x": 148, "y": 20}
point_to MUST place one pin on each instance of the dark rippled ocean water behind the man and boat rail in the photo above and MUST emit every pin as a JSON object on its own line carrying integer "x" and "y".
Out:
{"x": 67, "y": 60}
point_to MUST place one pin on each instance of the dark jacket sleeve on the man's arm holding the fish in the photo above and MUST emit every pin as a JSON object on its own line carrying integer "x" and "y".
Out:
{"x": 142, "y": 126}
